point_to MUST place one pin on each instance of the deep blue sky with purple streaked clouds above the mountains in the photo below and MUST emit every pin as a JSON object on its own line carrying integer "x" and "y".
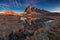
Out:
{"x": 20, "y": 5}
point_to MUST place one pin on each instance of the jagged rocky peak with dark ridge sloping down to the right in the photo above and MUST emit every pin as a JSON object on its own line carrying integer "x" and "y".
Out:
{"x": 33, "y": 9}
